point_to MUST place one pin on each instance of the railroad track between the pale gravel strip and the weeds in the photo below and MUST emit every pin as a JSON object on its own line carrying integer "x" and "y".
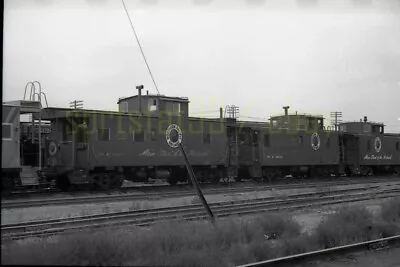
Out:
{"x": 190, "y": 212}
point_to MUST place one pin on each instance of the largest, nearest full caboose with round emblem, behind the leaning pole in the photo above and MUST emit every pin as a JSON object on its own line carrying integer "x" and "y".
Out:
{"x": 103, "y": 148}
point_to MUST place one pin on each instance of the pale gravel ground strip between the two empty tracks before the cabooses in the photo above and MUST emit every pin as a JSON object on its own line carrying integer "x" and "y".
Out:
{"x": 18, "y": 215}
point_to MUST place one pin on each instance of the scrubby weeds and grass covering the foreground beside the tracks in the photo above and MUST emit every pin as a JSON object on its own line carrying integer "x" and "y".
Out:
{"x": 230, "y": 242}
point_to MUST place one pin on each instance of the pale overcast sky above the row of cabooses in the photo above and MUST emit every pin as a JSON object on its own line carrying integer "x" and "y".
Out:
{"x": 327, "y": 55}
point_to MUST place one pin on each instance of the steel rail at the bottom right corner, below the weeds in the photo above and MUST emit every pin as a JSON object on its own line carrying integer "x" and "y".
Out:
{"x": 284, "y": 261}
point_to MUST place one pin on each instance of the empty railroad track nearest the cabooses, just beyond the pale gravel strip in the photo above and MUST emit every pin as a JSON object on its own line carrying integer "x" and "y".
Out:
{"x": 8, "y": 204}
